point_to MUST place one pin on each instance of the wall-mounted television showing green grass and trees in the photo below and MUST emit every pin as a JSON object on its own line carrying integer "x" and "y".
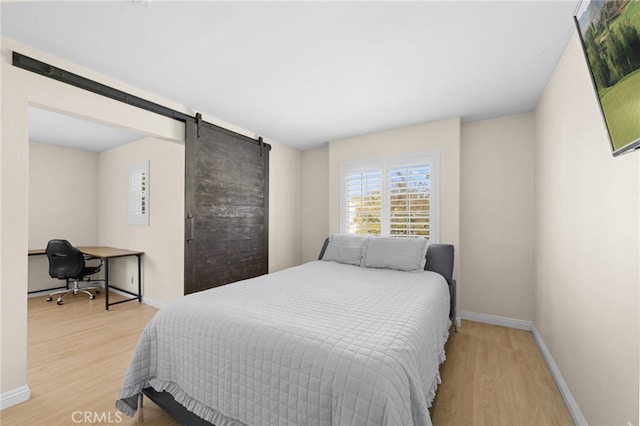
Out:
{"x": 610, "y": 35}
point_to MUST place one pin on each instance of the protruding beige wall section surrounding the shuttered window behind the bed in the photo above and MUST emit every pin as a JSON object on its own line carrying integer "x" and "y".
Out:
{"x": 442, "y": 135}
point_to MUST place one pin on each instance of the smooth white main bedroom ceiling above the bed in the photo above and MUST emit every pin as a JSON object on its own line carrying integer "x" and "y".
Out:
{"x": 304, "y": 73}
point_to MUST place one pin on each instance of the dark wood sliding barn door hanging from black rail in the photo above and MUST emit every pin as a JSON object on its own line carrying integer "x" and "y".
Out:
{"x": 226, "y": 206}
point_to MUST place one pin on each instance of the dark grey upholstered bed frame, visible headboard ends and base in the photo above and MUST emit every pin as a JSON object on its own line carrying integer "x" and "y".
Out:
{"x": 440, "y": 259}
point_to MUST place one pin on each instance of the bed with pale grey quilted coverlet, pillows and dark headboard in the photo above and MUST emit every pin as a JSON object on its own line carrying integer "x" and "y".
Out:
{"x": 351, "y": 338}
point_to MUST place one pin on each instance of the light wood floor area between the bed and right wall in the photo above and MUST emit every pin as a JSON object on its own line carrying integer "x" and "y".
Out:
{"x": 496, "y": 376}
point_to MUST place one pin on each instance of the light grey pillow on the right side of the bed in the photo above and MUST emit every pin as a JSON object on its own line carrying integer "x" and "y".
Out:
{"x": 404, "y": 254}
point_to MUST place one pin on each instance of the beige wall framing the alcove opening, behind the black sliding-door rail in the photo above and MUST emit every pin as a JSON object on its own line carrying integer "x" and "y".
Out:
{"x": 20, "y": 89}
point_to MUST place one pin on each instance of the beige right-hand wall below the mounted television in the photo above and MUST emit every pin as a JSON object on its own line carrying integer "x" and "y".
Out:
{"x": 586, "y": 248}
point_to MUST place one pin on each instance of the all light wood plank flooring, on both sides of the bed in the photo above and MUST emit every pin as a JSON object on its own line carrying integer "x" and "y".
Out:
{"x": 78, "y": 354}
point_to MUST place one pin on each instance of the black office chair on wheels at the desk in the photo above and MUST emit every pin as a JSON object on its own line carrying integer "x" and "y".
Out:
{"x": 68, "y": 263}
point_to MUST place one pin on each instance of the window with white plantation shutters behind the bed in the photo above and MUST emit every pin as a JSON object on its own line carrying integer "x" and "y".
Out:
{"x": 391, "y": 196}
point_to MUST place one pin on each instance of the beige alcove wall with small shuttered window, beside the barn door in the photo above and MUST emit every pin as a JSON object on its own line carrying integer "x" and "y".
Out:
{"x": 162, "y": 240}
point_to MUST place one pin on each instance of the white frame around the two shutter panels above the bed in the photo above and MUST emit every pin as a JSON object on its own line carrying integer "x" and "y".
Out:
{"x": 384, "y": 164}
